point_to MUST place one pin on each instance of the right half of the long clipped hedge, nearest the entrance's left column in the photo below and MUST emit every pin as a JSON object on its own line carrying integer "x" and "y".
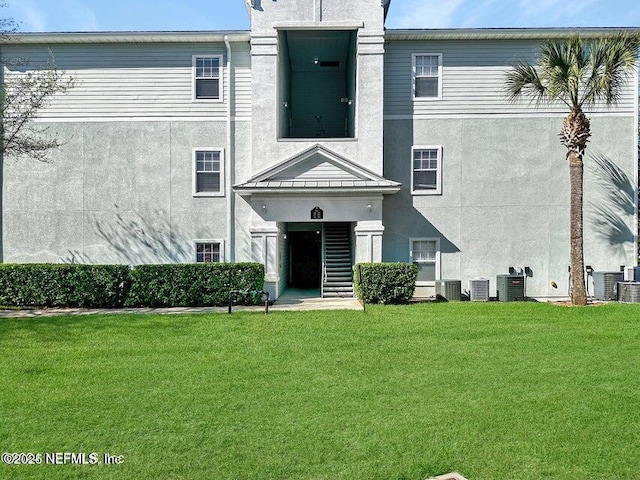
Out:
{"x": 191, "y": 285}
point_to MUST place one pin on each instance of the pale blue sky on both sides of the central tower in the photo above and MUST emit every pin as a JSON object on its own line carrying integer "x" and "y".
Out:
{"x": 91, "y": 15}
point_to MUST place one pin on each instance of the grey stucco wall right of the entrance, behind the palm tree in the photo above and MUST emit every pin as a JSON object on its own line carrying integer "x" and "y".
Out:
{"x": 505, "y": 197}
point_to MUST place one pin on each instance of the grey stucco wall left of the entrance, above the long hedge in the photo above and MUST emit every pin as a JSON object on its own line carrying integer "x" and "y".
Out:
{"x": 115, "y": 192}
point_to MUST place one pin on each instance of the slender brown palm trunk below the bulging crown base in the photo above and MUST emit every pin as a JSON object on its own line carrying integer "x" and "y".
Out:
{"x": 576, "y": 174}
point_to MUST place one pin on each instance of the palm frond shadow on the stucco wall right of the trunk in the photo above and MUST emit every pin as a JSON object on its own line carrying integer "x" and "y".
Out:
{"x": 614, "y": 203}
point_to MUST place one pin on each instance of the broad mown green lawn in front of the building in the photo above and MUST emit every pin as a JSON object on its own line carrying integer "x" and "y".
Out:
{"x": 493, "y": 391}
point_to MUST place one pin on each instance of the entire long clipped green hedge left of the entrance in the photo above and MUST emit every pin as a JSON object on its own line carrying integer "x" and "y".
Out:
{"x": 113, "y": 286}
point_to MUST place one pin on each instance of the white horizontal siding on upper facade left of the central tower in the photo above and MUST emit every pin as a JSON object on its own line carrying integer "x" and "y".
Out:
{"x": 136, "y": 80}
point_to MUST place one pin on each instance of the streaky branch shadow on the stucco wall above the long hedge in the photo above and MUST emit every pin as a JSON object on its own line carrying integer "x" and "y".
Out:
{"x": 135, "y": 238}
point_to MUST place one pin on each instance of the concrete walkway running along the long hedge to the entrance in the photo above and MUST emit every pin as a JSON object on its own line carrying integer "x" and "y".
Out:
{"x": 292, "y": 300}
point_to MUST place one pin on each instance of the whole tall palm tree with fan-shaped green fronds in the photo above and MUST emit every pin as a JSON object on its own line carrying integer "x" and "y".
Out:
{"x": 579, "y": 73}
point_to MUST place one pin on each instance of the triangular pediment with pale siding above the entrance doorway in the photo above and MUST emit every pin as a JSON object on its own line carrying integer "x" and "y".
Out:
{"x": 317, "y": 169}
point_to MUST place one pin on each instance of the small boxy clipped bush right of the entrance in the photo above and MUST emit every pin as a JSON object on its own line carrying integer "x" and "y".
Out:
{"x": 385, "y": 282}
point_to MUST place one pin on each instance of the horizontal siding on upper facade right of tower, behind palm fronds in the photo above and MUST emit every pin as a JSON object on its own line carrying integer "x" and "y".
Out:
{"x": 472, "y": 79}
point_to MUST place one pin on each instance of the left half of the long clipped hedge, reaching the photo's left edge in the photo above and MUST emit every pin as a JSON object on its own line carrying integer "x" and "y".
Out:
{"x": 63, "y": 285}
